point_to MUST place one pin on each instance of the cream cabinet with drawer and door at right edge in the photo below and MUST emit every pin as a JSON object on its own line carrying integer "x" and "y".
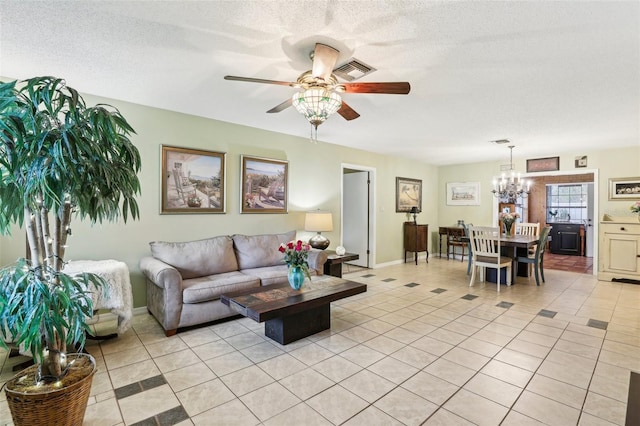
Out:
{"x": 619, "y": 248}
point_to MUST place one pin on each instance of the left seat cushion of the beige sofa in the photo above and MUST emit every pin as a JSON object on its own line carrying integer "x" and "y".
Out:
{"x": 202, "y": 289}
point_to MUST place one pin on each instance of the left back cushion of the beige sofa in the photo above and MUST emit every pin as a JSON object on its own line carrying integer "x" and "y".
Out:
{"x": 197, "y": 258}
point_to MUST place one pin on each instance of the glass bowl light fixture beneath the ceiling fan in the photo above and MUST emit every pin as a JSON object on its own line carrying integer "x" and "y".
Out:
{"x": 316, "y": 104}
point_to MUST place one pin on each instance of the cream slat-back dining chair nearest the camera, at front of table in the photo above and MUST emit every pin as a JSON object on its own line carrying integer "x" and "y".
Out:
{"x": 485, "y": 247}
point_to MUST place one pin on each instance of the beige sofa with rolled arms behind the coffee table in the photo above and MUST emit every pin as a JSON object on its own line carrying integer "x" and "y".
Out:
{"x": 186, "y": 279}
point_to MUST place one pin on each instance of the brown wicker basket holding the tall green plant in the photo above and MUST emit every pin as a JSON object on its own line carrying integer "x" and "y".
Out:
{"x": 60, "y": 407}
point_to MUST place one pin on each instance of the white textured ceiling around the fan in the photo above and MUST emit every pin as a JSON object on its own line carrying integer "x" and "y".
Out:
{"x": 549, "y": 76}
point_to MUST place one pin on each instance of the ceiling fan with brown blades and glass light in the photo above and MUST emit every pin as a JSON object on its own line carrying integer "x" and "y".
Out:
{"x": 319, "y": 94}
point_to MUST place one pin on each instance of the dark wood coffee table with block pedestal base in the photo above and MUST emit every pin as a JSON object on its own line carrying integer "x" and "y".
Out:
{"x": 292, "y": 314}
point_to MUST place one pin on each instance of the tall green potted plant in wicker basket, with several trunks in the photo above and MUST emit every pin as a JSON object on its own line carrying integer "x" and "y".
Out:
{"x": 59, "y": 159}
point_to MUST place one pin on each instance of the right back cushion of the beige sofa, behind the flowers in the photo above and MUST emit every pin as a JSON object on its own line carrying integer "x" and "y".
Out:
{"x": 256, "y": 251}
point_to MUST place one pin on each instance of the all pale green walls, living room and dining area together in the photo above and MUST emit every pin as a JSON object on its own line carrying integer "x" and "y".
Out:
{"x": 314, "y": 182}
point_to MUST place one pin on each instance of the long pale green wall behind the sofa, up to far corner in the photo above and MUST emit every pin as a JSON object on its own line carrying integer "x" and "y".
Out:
{"x": 314, "y": 182}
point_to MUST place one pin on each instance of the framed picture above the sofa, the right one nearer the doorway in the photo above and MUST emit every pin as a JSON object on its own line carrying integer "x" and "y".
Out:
{"x": 264, "y": 186}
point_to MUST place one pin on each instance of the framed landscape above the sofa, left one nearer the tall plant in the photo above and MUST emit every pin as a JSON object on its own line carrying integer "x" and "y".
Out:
{"x": 193, "y": 181}
